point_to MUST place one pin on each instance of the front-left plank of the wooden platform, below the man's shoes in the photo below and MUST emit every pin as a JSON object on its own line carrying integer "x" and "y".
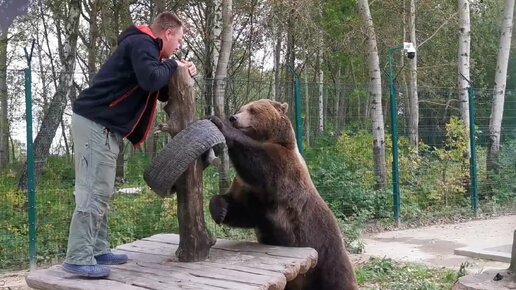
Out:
{"x": 55, "y": 278}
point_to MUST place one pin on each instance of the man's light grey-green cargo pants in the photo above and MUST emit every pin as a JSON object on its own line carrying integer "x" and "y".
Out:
{"x": 96, "y": 151}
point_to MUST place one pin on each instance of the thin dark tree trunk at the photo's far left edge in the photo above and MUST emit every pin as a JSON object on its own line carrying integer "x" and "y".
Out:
{"x": 4, "y": 118}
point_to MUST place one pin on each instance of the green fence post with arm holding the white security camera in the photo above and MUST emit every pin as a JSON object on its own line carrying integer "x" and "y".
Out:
{"x": 396, "y": 199}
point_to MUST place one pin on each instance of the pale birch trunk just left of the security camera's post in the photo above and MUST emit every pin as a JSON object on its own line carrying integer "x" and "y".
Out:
{"x": 375, "y": 92}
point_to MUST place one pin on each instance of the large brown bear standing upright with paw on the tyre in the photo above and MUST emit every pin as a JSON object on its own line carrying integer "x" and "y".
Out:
{"x": 274, "y": 194}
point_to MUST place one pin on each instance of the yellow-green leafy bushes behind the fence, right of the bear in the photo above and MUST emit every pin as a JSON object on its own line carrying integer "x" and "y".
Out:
{"x": 431, "y": 178}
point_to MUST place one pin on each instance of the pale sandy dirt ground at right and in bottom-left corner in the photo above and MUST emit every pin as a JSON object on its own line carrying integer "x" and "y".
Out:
{"x": 433, "y": 246}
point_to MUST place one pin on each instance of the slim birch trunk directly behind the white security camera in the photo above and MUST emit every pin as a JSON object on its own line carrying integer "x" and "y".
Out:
{"x": 412, "y": 88}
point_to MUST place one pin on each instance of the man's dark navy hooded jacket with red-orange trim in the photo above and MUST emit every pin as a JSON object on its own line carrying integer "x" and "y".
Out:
{"x": 124, "y": 93}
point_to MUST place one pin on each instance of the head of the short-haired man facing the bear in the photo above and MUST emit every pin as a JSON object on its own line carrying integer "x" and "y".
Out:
{"x": 169, "y": 28}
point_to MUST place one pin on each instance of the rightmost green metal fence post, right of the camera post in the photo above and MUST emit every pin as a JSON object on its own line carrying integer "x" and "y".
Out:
{"x": 473, "y": 156}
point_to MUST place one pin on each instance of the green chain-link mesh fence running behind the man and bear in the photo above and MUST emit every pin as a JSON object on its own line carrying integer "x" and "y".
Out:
{"x": 337, "y": 145}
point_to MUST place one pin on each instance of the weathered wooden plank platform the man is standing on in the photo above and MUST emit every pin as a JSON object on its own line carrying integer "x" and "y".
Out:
{"x": 235, "y": 265}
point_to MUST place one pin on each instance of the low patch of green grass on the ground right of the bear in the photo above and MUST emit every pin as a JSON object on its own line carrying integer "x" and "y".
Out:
{"x": 387, "y": 274}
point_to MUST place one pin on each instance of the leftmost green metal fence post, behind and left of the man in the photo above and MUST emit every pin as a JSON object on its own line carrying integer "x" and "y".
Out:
{"x": 31, "y": 192}
